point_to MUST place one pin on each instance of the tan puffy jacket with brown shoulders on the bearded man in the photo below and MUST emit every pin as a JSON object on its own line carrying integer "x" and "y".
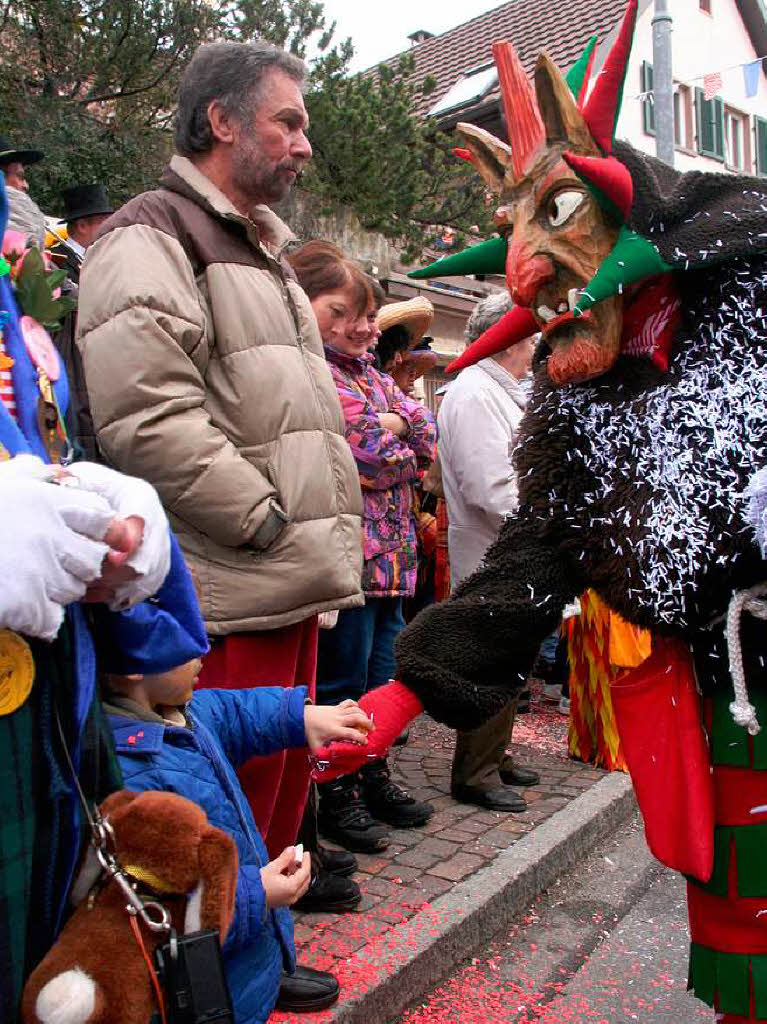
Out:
{"x": 207, "y": 377}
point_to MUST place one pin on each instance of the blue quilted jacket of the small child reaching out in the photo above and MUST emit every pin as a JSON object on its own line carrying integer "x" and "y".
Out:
{"x": 226, "y": 729}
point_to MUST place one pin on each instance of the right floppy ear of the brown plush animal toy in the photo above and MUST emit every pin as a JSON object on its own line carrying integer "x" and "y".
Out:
{"x": 212, "y": 904}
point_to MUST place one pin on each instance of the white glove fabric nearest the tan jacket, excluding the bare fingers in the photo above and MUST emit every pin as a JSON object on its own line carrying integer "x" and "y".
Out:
{"x": 129, "y": 496}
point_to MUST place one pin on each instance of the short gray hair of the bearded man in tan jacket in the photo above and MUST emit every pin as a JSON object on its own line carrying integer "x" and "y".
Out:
{"x": 230, "y": 73}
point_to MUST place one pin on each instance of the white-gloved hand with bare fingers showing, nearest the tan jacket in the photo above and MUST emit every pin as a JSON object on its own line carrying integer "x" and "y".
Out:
{"x": 138, "y": 503}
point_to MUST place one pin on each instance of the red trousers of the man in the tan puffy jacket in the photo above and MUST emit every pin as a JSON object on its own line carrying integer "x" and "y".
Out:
{"x": 277, "y": 786}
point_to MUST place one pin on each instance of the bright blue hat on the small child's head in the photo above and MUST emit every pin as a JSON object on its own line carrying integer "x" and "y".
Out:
{"x": 160, "y": 634}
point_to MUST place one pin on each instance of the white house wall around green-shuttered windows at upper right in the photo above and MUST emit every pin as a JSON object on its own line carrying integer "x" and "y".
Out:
{"x": 701, "y": 44}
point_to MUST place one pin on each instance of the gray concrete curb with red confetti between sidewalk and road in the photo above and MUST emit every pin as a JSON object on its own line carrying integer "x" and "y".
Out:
{"x": 425, "y": 950}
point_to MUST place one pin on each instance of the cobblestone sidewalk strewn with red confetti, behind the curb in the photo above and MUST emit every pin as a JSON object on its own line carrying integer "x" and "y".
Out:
{"x": 421, "y": 865}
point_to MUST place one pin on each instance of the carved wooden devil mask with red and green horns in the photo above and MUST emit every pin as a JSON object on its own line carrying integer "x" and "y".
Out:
{"x": 562, "y": 218}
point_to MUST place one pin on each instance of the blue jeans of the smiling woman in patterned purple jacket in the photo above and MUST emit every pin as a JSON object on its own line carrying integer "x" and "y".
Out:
{"x": 359, "y": 654}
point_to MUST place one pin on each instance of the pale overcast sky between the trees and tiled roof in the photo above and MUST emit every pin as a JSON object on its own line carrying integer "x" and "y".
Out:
{"x": 380, "y": 29}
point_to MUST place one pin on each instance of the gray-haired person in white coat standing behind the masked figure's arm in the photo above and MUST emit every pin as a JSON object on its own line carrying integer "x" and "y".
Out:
{"x": 479, "y": 424}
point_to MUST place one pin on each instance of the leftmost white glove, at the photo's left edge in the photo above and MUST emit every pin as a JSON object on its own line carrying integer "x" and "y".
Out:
{"x": 52, "y": 549}
